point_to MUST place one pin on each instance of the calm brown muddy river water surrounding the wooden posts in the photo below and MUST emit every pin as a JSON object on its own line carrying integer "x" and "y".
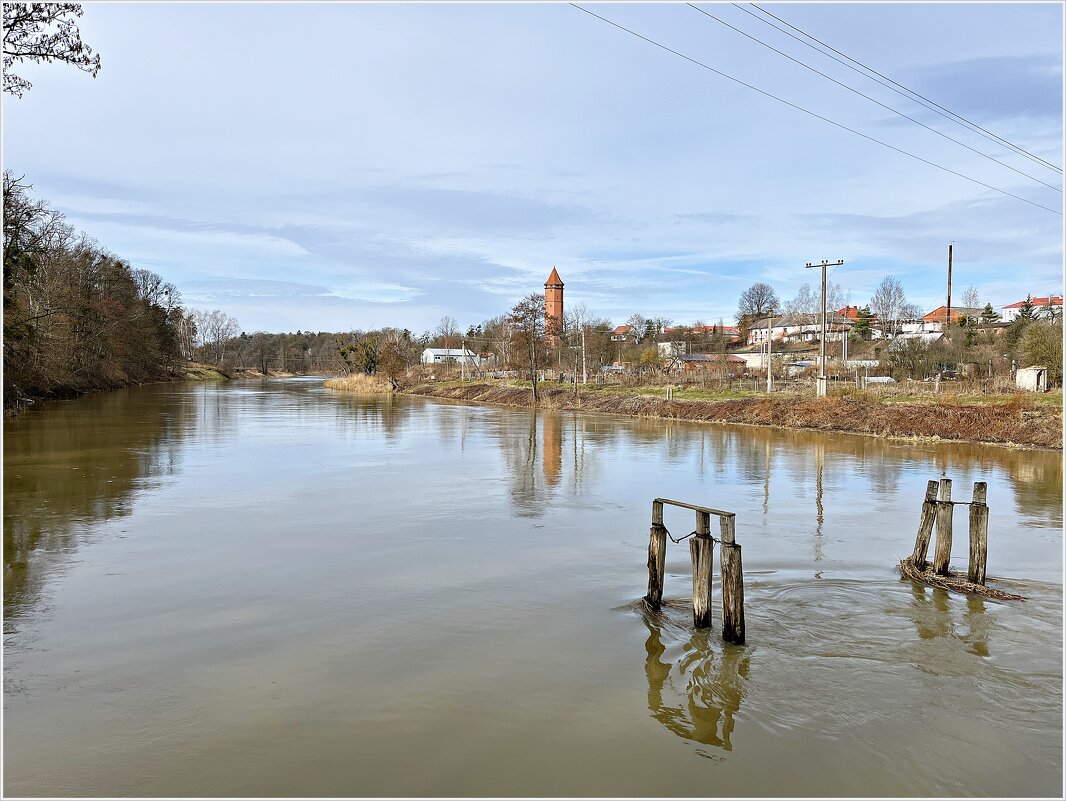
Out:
{"x": 274, "y": 589}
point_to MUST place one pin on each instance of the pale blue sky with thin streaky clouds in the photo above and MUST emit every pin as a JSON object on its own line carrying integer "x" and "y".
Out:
{"x": 341, "y": 167}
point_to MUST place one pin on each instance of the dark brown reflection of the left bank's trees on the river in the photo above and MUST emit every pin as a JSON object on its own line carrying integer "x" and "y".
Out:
{"x": 69, "y": 466}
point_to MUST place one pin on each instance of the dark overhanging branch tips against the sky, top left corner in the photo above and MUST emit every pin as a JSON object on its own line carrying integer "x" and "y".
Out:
{"x": 43, "y": 33}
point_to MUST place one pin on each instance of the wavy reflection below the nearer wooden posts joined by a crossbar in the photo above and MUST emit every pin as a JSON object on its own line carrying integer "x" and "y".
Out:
{"x": 697, "y": 695}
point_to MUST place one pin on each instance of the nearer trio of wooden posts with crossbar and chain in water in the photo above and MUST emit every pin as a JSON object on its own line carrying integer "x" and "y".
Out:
{"x": 702, "y": 551}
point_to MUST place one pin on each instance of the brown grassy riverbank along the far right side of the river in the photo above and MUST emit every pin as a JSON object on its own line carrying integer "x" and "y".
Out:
{"x": 1012, "y": 422}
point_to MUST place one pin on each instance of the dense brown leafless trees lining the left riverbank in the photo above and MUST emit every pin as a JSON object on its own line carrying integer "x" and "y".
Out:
{"x": 76, "y": 317}
